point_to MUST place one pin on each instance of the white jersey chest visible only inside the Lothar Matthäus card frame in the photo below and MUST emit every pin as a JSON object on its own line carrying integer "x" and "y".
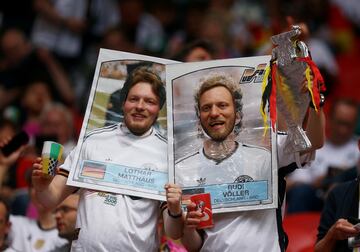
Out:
{"x": 116, "y": 144}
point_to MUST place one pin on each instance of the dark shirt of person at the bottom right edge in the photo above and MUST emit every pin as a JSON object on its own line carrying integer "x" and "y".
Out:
{"x": 342, "y": 202}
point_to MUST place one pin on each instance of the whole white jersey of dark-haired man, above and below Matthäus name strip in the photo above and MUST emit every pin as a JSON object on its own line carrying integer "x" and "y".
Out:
{"x": 115, "y": 222}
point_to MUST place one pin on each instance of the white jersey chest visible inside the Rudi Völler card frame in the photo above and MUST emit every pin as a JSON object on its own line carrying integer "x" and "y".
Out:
{"x": 247, "y": 163}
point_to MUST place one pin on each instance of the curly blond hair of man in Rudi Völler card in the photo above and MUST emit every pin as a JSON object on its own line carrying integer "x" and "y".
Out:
{"x": 221, "y": 80}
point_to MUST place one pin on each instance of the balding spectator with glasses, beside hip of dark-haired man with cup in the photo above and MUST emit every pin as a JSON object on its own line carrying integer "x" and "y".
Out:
{"x": 65, "y": 215}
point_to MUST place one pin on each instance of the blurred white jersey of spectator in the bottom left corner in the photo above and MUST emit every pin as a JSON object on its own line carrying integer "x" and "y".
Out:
{"x": 27, "y": 235}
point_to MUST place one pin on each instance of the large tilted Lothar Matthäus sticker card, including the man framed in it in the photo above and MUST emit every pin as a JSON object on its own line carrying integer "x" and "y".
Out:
{"x": 110, "y": 156}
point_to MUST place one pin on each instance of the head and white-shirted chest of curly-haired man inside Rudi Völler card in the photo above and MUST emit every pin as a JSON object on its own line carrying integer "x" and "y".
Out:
{"x": 222, "y": 159}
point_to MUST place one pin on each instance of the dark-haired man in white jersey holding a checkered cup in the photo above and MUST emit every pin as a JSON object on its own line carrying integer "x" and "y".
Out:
{"x": 108, "y": 221}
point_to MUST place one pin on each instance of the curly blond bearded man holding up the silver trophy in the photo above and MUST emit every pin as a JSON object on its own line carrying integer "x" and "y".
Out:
{"x": 224, "y": 160}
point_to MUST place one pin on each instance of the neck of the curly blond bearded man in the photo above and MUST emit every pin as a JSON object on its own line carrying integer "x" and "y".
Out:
{"x": 219, "y": 150}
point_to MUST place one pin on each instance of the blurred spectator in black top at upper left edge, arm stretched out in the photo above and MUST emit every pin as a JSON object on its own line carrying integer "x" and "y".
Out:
{"x": 21, "y": 65}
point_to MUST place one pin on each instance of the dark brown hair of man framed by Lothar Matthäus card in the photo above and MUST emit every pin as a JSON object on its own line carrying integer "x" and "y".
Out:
{"x": 144, "y": 74}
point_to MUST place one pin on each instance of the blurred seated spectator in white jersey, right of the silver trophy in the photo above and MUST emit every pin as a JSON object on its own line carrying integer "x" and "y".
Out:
{"x": 335, "y": 162}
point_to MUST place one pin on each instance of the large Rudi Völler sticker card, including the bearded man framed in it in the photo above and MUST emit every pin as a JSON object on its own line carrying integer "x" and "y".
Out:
{"x": 216, "y": 136}
